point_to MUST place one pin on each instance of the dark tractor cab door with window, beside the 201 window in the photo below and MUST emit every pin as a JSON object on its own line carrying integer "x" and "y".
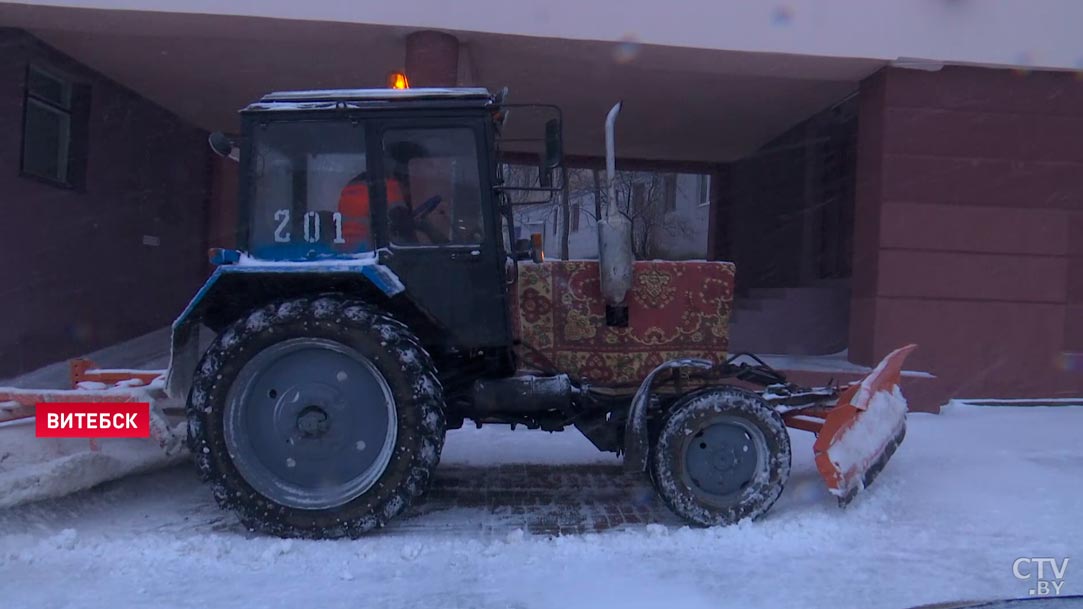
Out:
{"x": 439, "y": 228}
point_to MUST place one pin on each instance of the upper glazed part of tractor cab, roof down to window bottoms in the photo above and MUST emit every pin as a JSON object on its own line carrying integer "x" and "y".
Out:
{"x": 336, "y": 174}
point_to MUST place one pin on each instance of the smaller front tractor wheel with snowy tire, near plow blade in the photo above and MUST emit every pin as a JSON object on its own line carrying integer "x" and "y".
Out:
{"x": 722, "y": 456}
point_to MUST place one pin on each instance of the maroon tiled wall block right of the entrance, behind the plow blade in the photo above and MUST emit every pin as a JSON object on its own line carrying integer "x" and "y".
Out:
{"x": 970, "y": 229}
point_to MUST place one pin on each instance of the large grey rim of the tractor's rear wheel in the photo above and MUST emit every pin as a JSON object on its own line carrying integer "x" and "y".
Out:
{"x": 310, "y": 423}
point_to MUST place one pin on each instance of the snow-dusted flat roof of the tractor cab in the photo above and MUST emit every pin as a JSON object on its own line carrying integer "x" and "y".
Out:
{"x": 337, "y": 99}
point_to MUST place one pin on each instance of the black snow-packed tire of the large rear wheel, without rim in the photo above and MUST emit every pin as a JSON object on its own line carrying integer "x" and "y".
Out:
{"x": 399, "y": 355}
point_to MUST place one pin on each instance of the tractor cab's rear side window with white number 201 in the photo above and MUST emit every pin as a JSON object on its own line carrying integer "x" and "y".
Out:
{"x": 309, "y": 190}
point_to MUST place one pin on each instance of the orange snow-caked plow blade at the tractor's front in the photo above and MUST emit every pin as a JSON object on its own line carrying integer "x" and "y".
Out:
{"x": 863, "y": 432}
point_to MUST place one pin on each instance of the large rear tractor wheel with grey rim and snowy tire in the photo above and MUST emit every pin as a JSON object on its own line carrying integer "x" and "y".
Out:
{"x": 317, "y": 418}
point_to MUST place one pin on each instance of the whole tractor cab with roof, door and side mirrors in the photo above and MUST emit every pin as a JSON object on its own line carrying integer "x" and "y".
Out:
{"x": 405, "y": 178}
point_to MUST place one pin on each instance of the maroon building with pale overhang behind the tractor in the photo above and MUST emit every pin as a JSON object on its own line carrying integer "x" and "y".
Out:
{"x": 881, "y": 173}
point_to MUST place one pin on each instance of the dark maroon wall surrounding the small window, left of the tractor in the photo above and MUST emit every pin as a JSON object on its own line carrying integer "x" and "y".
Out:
{"x": 75, "y": 274}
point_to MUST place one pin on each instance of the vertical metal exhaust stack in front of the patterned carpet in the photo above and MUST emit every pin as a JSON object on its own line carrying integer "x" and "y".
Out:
{"x": 615, "y": 239}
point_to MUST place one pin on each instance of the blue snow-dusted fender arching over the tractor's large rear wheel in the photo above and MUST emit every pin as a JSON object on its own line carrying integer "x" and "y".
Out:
{"x": 242, "y": 282}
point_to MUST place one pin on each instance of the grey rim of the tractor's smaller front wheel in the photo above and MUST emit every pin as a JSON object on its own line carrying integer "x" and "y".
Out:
{"x": 724, "y": 459}
